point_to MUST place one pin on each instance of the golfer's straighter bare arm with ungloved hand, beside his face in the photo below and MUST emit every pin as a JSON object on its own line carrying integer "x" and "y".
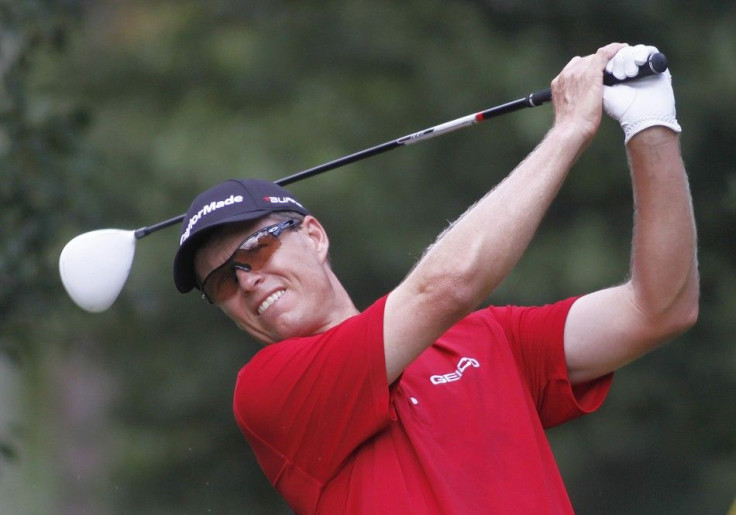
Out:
{"x": 477, "y": 252}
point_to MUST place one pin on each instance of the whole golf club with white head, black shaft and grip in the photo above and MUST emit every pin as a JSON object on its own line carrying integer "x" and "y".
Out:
{"x": 95, "y": 265}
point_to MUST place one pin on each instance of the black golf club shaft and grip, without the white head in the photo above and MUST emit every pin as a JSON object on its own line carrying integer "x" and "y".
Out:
{"x": 657, "y": 63}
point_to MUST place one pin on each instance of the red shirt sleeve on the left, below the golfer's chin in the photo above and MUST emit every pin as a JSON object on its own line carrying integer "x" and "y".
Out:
{"x": 309, "y": 402}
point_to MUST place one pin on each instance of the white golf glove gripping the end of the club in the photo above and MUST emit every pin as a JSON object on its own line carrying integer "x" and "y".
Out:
{"x": 642, "y": 103}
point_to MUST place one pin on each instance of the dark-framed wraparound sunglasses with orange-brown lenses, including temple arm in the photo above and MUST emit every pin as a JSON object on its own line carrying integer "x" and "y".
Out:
{"x": 250, "y": 256}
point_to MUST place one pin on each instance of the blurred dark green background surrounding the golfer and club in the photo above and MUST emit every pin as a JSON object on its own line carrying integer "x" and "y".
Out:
{"x": 116, "y": 113}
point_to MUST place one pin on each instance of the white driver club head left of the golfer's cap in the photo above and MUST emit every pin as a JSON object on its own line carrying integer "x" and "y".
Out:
{"x": 95, "y": 265}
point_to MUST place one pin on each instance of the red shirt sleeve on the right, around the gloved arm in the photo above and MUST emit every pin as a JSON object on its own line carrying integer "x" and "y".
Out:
{"x": 536, "y": 336}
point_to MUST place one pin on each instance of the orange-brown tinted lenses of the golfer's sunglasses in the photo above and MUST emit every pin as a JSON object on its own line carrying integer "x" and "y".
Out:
{"x": 222, "y": 283}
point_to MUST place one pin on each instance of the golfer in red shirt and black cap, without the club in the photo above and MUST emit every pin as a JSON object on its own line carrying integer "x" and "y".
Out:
{"x": 421, "y": 403}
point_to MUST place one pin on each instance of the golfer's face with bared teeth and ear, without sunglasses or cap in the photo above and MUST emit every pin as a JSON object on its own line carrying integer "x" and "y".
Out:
{"x": 287, "y": 295}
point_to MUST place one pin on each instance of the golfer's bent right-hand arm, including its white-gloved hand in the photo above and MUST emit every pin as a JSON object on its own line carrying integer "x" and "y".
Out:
{"x": 610, "y": 328}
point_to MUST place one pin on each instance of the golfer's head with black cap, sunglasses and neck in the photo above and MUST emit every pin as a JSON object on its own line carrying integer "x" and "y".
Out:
{"x": 263, "y": 259}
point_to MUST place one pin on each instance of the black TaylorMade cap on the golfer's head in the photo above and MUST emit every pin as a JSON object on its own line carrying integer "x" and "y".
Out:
{"x": 231, "y": 201}
